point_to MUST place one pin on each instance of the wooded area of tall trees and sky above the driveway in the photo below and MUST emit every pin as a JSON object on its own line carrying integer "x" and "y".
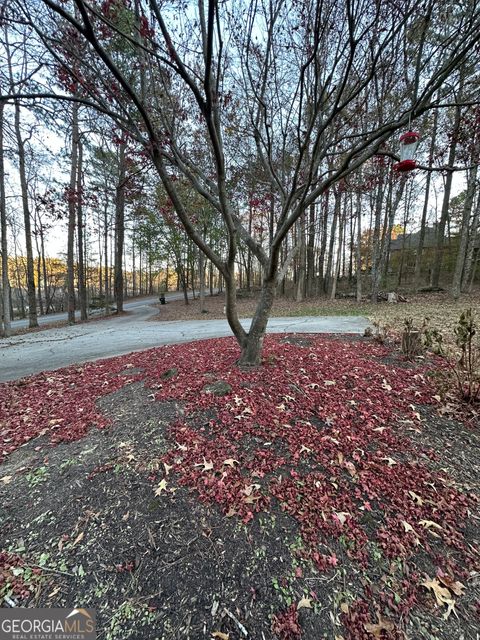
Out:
{"x": 245, "y": 145}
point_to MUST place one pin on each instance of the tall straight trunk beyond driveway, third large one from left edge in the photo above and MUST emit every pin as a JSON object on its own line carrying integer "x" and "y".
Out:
{"x": 72, "y": 217}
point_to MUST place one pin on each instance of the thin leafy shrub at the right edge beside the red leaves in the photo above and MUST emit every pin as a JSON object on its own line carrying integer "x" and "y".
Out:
{"x": 467, "y": 369}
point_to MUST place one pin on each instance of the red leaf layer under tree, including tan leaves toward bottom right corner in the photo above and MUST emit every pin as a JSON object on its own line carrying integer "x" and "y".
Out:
{"x": 320, "y": 431}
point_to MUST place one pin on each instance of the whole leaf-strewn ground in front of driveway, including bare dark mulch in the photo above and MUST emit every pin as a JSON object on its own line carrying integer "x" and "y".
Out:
{"x": 323, "y": 495}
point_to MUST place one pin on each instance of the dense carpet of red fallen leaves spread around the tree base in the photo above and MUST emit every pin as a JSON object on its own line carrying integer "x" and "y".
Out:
{"x": 334, "y": 422}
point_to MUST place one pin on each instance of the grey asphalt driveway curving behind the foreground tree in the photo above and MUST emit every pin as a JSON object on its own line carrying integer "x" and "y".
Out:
{"x": 54, "y": 348}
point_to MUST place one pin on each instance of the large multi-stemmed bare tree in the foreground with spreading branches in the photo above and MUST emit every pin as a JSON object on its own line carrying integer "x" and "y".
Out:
{"x": 293, "y": 79}
